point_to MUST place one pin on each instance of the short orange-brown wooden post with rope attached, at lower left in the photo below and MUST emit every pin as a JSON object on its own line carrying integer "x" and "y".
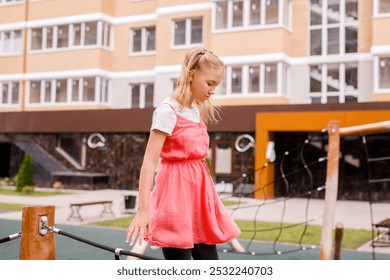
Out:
{"x": 33, "y": 245}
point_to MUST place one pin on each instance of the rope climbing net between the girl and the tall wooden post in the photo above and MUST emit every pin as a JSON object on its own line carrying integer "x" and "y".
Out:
{"x": 299, "y": 177}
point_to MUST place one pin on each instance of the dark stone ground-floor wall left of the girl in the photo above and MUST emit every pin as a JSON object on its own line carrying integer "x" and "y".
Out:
{"x": 120, "y": 159}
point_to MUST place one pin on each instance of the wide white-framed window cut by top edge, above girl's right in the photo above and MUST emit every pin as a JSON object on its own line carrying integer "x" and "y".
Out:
{"x": 233, "y": 14}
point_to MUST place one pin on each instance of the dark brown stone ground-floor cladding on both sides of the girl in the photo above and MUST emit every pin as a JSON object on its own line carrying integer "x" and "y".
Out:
{"x": 114, "y": 166}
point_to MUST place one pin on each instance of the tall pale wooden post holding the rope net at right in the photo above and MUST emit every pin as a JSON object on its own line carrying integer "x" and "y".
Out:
{"x": 332, "y": 178}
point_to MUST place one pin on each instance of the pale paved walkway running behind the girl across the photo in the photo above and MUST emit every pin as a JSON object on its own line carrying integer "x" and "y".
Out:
{"x": 352, "y": 214}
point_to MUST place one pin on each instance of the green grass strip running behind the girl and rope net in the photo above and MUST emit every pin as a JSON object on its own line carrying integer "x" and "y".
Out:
{"x": 353, "y": 238}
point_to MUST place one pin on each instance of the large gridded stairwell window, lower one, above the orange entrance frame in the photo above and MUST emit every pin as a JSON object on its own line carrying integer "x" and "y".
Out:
{"x": 333, "y": 83}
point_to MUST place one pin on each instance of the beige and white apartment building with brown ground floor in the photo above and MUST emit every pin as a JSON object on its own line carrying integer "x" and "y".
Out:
{"x": 78, "y": 60}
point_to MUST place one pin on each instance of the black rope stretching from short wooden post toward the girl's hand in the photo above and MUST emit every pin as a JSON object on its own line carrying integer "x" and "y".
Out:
{"x": 116, "y": 251}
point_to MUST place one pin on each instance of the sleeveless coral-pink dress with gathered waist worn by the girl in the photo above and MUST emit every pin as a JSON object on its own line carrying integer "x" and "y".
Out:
{"x": 184, "y": 206}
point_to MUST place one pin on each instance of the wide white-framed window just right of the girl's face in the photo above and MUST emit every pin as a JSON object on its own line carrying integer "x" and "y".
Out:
{"x": 261, "y": 79}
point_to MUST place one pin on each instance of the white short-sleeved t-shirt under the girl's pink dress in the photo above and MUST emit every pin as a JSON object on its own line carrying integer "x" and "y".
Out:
{"x": 164, "y": 118}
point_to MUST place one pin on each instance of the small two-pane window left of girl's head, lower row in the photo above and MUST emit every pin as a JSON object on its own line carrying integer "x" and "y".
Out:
{"x": 141, "y": 95}
